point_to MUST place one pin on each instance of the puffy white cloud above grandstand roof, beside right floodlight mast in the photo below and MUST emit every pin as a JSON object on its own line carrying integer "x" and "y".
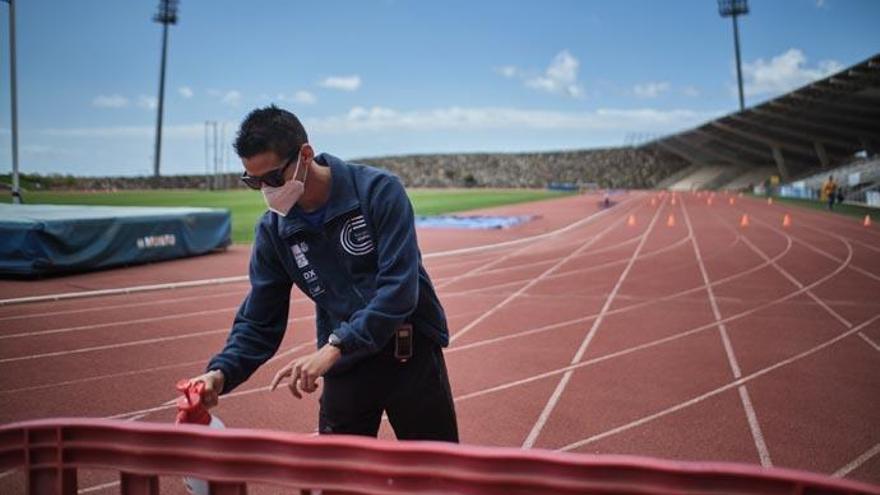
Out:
{"x": 784, "y": 72}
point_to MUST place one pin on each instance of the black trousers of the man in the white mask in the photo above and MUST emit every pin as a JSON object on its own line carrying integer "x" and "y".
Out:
{"x": 415, "y": 395}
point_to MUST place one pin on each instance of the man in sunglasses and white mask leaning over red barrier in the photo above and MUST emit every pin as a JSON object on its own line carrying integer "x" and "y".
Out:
{"x": 345, "y": 235}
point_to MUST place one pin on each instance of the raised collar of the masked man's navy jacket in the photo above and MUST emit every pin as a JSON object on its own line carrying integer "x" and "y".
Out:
{"x": 343, "y": 197}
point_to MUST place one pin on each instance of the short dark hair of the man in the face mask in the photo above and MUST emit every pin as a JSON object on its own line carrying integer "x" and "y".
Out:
{"x": 270, "y": 129}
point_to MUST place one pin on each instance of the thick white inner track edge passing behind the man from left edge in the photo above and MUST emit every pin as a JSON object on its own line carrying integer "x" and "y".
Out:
{"x": 244, "y": 278}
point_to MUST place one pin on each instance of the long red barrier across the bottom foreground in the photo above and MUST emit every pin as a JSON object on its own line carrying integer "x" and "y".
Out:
{"x": 52, "y": 450}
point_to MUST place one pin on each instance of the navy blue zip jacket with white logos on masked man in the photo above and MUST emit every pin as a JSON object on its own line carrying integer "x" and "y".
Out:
{"x": 362, "y": 268}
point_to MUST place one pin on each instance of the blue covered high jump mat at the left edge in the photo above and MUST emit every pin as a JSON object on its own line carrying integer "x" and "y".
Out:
{"x": 49, "y": 239}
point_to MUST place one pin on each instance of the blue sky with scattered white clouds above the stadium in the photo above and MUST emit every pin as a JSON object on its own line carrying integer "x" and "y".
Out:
{"x": 385, "y": 77}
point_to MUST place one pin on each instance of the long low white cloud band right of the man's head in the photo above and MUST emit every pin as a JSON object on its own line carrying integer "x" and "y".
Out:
{"x": 377, "y": 119}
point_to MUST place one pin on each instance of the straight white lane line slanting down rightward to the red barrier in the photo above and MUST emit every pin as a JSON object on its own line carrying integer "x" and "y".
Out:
{"x": 751, "y": 415}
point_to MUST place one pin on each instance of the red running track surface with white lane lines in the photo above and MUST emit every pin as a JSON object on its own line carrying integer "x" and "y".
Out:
{"x": 700, "y": 341}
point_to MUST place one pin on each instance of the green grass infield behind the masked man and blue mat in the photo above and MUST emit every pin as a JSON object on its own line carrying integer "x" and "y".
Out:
{"x": 247, "y": 206}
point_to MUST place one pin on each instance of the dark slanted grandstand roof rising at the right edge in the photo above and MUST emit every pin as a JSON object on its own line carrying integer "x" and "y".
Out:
{"x": 820, "y": 124}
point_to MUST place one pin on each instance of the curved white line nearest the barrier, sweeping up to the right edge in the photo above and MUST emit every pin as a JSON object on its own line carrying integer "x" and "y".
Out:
{"x": 719, "y": 390}
